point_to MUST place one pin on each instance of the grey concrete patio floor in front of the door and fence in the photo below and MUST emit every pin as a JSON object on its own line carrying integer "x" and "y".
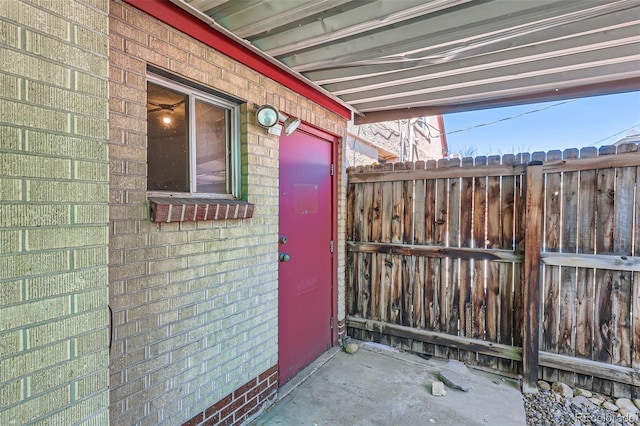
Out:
{"x": 380, "y": 386}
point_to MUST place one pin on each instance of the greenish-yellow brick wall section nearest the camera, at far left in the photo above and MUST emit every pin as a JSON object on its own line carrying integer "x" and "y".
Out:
{"x": 53, "y": 212}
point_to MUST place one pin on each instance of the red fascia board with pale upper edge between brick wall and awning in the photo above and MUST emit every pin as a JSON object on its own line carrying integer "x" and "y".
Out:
{"x": 192, "y": 22}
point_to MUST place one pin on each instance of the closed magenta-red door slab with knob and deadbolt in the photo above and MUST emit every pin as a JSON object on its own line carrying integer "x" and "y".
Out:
{"x": 305, "y": 272}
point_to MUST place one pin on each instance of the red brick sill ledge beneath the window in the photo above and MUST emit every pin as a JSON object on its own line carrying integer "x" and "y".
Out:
{"x": 176, "y": 209}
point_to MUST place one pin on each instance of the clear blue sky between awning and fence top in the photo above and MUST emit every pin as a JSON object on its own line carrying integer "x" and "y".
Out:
{"x": 575, "y": 123}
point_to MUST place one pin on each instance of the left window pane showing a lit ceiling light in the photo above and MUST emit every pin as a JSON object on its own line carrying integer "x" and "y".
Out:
{"x": 168, "y": 140}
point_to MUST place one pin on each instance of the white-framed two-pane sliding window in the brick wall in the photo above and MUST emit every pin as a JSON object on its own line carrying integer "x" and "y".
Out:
{"x": 193, "y": 141}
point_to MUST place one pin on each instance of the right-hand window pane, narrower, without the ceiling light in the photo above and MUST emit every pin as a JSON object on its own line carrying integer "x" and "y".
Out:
{"x": 211, "y": 148}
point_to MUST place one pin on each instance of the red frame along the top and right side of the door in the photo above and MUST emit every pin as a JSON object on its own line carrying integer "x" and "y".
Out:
{"x": 335, "y": 141}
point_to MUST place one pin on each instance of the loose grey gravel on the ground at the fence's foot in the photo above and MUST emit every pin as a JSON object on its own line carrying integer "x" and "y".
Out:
{"x": 549, "y": 408}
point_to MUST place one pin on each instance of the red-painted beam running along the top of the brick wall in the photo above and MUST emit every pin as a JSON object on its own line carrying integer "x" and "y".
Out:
{"x": 183, "y": 21}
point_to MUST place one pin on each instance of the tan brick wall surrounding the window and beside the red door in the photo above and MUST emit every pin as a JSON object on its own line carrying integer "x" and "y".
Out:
{"x": 194, "y": 303}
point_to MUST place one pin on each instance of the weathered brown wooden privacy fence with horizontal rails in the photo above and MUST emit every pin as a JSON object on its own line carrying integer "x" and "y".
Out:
{"x": 526, "y": 264}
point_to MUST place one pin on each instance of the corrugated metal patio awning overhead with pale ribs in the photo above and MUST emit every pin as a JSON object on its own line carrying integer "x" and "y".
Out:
{"x": 401, "y": 58}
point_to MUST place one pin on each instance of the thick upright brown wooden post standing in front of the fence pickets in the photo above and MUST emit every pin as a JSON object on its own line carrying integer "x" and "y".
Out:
{"x": 531, "y": 291}
